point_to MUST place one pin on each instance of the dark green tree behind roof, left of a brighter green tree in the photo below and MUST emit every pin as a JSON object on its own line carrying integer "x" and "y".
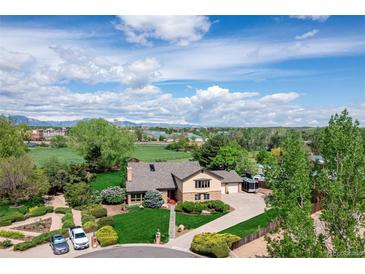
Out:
{"x": 206, "y": 153}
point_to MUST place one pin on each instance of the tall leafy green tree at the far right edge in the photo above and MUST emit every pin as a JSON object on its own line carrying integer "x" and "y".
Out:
{"x": 342, "y": 183}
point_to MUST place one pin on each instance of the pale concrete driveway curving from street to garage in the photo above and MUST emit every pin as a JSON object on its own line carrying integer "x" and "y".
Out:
{"x": 246, "y": 205}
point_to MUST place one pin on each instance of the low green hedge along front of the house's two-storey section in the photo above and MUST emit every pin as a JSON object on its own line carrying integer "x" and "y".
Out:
{"x": 198, "y": 207}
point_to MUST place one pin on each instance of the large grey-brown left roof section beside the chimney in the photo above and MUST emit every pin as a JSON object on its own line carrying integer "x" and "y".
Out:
{"x": 143, "y": 179}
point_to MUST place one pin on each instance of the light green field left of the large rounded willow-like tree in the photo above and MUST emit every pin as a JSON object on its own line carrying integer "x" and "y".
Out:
{"x": 41, "y": 154}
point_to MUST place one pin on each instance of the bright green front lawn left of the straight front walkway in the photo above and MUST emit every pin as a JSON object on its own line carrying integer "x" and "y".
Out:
{"x": 140, "y": 225}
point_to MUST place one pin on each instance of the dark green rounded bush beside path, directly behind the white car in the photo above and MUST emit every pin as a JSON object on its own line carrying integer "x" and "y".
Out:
{"x": 77, "y": 194}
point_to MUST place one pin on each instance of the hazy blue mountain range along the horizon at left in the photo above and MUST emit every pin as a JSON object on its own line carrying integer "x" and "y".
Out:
{"x": 18, "y": 119}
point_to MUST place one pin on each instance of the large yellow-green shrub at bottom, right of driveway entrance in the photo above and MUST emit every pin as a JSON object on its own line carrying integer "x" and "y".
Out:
{"x": 213, "y": 244}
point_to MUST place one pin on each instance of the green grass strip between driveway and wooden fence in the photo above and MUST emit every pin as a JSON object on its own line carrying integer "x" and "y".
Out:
{"x": 250, "y": 226}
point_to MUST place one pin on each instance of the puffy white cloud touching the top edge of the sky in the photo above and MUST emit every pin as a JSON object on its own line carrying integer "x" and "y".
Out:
{"x": 181, "y": 30}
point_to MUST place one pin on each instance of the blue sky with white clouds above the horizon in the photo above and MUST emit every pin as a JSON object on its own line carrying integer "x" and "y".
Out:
{"x": 206, "y": 70}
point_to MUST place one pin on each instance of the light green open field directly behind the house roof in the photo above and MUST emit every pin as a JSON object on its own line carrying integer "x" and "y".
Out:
{"x": 152, "y": 153}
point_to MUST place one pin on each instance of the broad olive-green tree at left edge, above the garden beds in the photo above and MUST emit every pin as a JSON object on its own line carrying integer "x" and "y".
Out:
{"x": 21, "y": 180}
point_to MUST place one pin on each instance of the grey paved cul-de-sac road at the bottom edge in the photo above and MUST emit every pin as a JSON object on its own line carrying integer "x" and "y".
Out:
{"x": 139, "y": 252}
